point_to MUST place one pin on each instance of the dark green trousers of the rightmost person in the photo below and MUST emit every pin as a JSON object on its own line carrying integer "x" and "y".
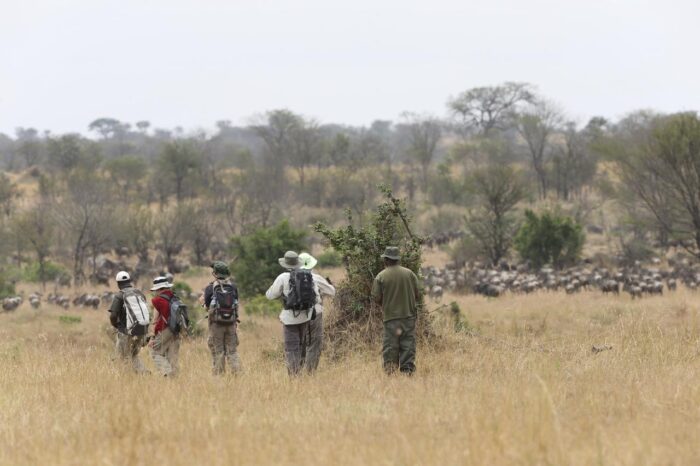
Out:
{"x": 399, "y": 349}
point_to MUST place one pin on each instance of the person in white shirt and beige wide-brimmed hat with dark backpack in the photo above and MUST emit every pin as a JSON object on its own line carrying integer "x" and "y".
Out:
{"x": 295, "y": 322}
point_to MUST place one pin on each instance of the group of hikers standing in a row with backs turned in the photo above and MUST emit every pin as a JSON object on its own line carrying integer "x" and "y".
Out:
{"x": 301, "y": 291}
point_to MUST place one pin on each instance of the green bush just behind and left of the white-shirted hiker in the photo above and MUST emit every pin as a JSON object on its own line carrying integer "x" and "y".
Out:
{"x": 256, "y": 266}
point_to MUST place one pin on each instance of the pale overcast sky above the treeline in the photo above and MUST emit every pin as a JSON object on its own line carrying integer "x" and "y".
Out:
{"x": 64, "y": 63}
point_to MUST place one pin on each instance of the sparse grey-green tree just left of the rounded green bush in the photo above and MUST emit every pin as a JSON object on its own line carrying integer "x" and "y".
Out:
{"x": 498, "y": 188}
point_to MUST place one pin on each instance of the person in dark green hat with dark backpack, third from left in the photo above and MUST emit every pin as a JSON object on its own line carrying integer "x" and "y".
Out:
{"x": 221, "y": 301}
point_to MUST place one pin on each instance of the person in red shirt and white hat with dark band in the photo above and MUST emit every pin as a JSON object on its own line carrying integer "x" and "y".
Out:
{"x": 165, "y": 345}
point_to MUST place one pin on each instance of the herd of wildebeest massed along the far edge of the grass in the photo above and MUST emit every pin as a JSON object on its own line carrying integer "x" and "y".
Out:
{"x": 637, "y": 280}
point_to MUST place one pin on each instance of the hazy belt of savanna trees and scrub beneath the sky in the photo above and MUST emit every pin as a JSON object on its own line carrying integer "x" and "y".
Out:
{"x": 69, "y": 198}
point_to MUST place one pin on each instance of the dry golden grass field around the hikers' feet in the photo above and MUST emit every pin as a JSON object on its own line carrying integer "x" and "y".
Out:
{"x": 521, "y": 388}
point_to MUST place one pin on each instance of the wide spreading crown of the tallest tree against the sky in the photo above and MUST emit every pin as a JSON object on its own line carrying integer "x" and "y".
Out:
{"x": 488, "y": 108}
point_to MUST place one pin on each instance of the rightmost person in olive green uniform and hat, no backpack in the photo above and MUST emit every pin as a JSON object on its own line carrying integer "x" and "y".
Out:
{"x": 396, "y": 289}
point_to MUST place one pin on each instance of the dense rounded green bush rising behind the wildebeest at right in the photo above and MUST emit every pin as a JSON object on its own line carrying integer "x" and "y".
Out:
{"x": 549, "y": 239}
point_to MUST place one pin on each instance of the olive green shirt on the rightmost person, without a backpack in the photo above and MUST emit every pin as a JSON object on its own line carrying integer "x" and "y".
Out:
{"x": 396, "y": 289}
